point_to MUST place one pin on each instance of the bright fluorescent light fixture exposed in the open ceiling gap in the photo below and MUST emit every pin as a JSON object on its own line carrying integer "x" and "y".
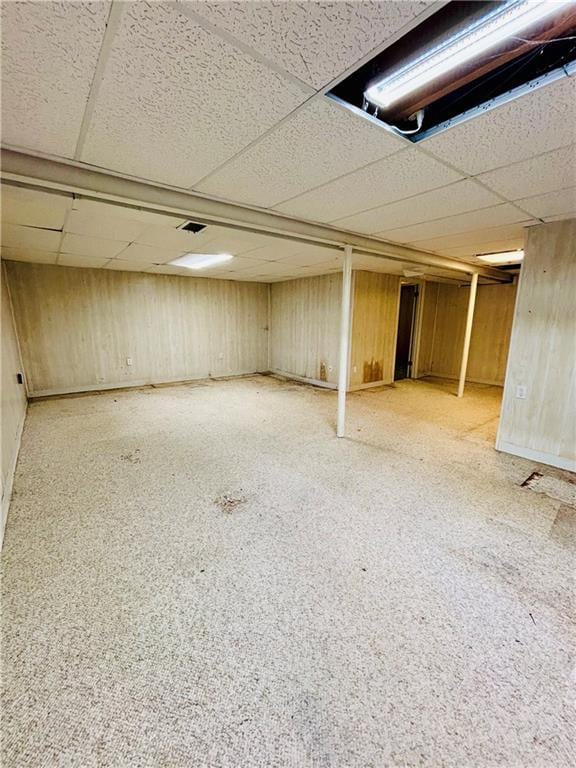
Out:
{"x": 508, "y": 20}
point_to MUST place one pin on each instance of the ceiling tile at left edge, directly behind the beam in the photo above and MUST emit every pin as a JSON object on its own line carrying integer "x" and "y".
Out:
{"x": 34, "y": 208}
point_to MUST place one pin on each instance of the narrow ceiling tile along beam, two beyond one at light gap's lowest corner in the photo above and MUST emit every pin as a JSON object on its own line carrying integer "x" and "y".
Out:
{"x": 505, "y": 213}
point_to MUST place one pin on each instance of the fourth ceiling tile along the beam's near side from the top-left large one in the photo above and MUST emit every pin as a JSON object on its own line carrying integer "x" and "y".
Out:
{"x": 456, "y": 198}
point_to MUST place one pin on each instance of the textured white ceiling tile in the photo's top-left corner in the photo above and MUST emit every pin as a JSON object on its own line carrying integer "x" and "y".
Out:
{"x": 50, "y": 51}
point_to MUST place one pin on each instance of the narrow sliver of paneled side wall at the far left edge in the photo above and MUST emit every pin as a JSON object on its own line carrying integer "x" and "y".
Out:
{"x": 13, "y": 400}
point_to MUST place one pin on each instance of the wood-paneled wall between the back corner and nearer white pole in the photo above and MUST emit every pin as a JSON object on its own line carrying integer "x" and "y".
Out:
{"x": 305, "y": 325}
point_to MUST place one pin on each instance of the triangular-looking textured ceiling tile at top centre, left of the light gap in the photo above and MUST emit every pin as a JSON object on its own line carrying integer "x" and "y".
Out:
{"x": 315, "y": 41}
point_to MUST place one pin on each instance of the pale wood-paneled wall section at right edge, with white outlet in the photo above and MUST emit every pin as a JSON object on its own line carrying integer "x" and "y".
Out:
{"x": 542, "y": 426}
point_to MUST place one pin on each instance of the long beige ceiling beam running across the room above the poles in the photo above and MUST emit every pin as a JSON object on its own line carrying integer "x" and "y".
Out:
{"x": 72, "y": 177}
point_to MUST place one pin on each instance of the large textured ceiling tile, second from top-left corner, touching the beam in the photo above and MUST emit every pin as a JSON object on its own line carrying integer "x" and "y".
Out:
{"x": 177, "y": 101}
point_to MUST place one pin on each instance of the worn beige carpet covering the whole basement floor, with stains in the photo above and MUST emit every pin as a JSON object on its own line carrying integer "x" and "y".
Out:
{"x": 203, "y": 575}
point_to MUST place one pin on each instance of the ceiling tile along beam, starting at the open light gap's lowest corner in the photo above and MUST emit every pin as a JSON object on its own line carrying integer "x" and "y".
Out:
{"x": 405, "y": 174}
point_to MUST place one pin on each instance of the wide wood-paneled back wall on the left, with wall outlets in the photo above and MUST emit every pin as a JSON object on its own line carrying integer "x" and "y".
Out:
{"x": 78, "y": 327}
